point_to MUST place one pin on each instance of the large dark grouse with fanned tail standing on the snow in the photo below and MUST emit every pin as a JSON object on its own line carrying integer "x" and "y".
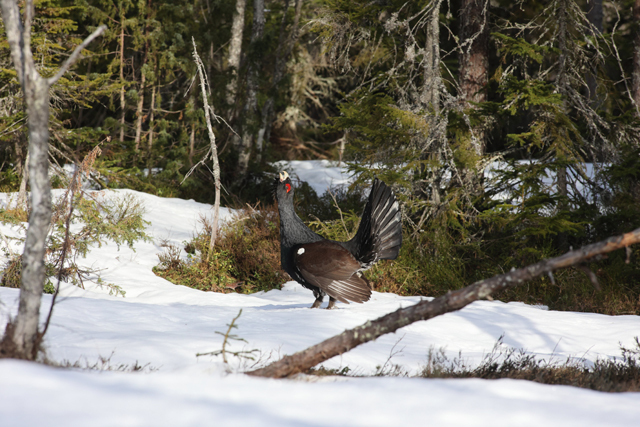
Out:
{"x": 334, "y": 268}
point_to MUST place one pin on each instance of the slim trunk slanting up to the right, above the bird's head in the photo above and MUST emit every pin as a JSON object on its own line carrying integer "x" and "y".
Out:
{"x": 264, "y": 134}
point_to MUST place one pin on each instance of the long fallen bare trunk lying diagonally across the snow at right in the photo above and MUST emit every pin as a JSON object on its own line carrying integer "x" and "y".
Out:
{"x": 452, "y": 301}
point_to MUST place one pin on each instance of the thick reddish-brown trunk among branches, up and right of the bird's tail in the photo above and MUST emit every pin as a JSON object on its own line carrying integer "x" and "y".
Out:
{"x": 474, "y": 58}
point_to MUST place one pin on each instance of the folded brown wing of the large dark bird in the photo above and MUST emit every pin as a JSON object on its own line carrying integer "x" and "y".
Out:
{"x": 333, "y": 269}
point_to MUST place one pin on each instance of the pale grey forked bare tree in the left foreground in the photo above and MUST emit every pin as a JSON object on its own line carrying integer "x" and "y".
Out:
{"x": 22, "y": 338}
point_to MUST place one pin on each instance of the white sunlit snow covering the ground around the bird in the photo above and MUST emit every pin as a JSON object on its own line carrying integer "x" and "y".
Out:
{"x": 161, "y": 327}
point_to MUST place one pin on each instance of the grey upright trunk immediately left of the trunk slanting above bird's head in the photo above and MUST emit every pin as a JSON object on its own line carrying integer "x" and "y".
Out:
{"x": 251, "y": 106}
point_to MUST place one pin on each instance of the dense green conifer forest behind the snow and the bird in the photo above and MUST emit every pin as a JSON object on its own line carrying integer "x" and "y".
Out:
{"x": 510, "y": 131}
